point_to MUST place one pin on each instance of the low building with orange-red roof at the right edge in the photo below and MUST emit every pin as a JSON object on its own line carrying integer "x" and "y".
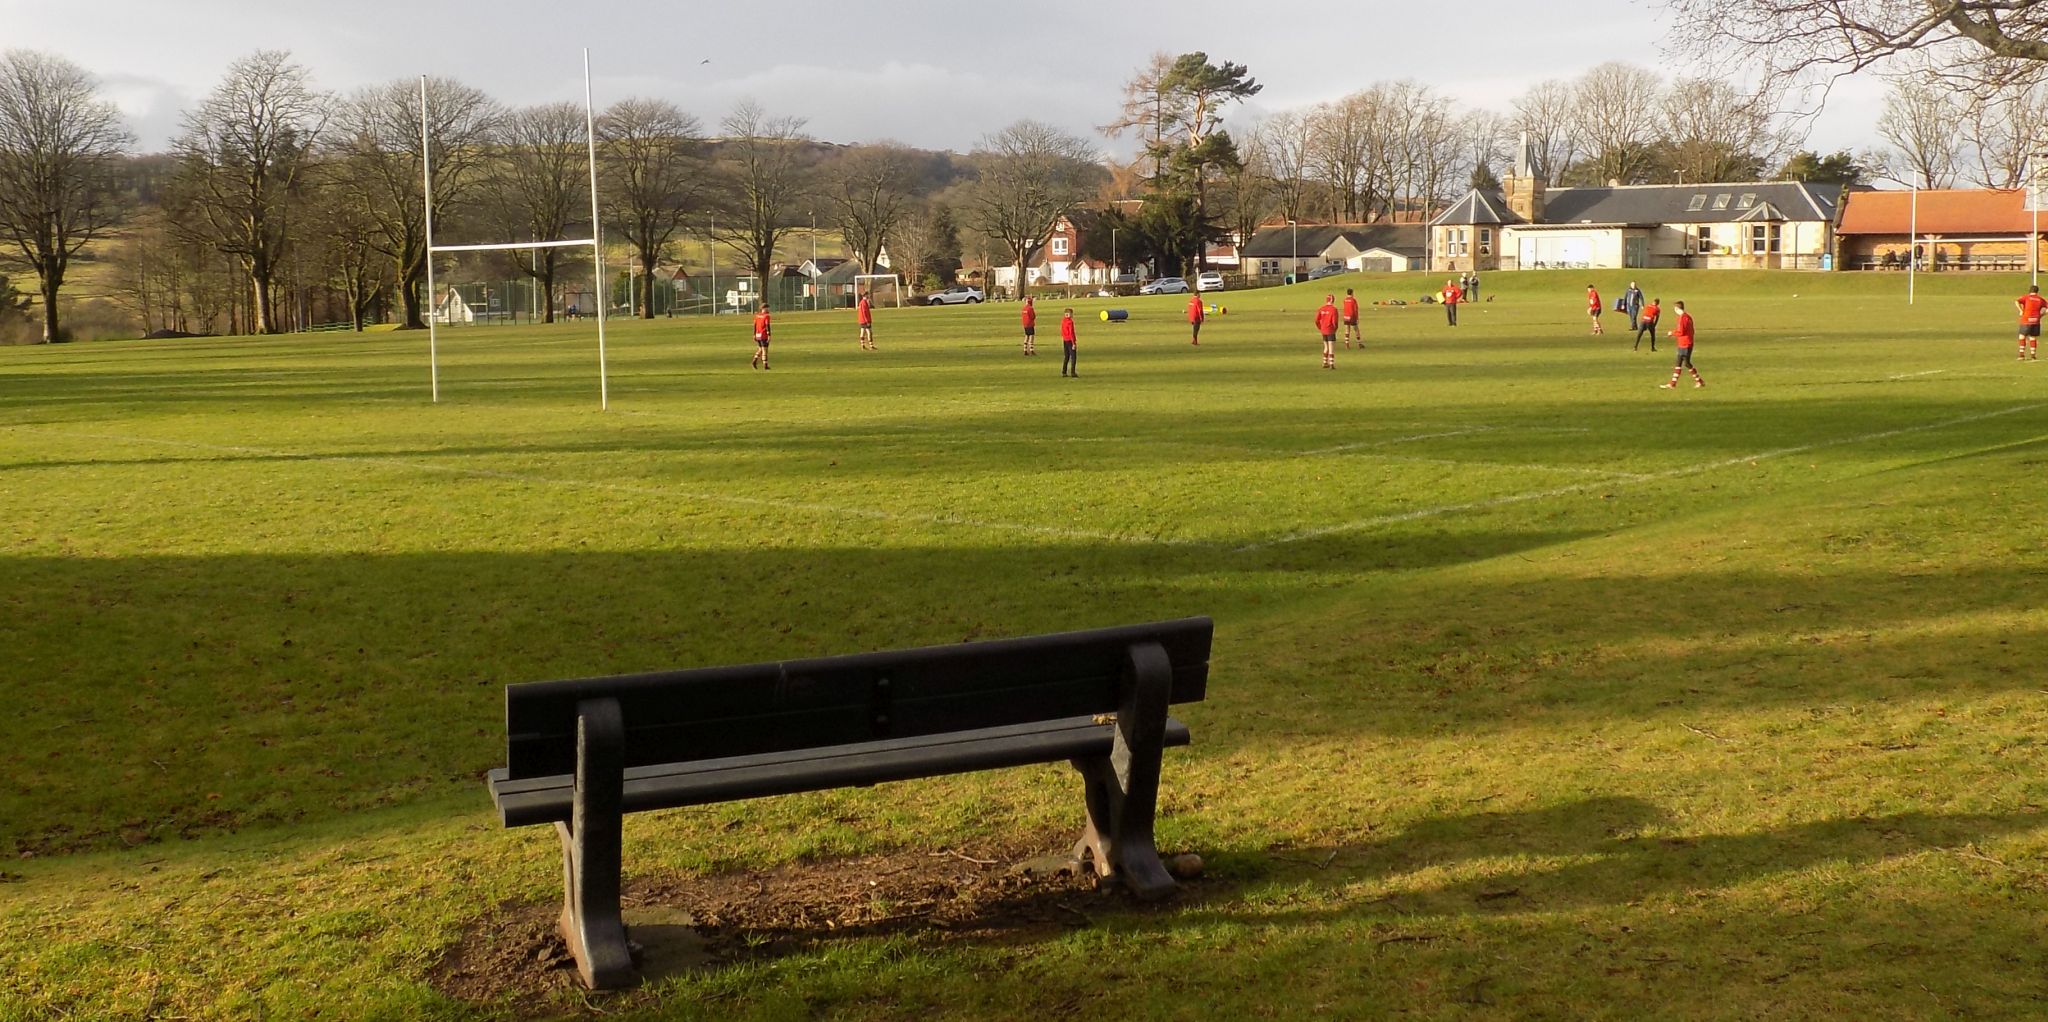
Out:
{"x": 1947, "y": 228}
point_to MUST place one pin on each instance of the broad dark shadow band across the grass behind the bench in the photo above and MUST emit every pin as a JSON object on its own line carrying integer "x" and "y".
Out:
{"x": 163, "y": 697}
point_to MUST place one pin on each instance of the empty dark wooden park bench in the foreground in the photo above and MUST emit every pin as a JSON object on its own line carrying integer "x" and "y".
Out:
{"x": 585, "y": 753}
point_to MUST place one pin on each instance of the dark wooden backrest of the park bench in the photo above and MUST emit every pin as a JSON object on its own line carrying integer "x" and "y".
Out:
{"x": 712, "y": 714}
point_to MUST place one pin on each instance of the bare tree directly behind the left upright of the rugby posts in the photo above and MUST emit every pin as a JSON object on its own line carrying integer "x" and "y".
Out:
{"x": 378, "y": 148}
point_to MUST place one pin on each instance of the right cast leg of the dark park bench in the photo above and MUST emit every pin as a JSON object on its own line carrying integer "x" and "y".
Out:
{"x": 1123, "y": 787}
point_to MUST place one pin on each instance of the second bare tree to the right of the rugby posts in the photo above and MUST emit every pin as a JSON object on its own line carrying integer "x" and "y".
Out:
{"x": 767, "y": 173}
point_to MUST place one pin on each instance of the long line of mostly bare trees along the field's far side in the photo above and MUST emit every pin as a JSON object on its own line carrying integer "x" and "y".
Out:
{"x": 278, "y": 196}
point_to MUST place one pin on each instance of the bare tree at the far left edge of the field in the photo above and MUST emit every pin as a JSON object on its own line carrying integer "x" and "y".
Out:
{"x": 58, "y": 153}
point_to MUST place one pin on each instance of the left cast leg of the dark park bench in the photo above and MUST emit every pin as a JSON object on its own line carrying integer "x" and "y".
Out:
{"x": 591, "y": 845}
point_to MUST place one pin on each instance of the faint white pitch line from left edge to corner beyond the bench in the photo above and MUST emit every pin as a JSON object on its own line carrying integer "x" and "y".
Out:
{"x": 626, "y": 488}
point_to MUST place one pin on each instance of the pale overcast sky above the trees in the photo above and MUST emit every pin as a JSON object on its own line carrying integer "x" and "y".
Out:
{"x": 935, "y": 75}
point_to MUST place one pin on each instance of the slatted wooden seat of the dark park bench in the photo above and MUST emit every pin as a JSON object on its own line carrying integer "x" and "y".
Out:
{"x": 548, "y": 800}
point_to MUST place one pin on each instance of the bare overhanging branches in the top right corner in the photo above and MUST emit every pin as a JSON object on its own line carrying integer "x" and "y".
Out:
{"x": 1797, "y": 40}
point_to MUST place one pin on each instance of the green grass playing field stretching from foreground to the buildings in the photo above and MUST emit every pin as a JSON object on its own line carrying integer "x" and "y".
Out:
{"x": 1537, "y": 693}
